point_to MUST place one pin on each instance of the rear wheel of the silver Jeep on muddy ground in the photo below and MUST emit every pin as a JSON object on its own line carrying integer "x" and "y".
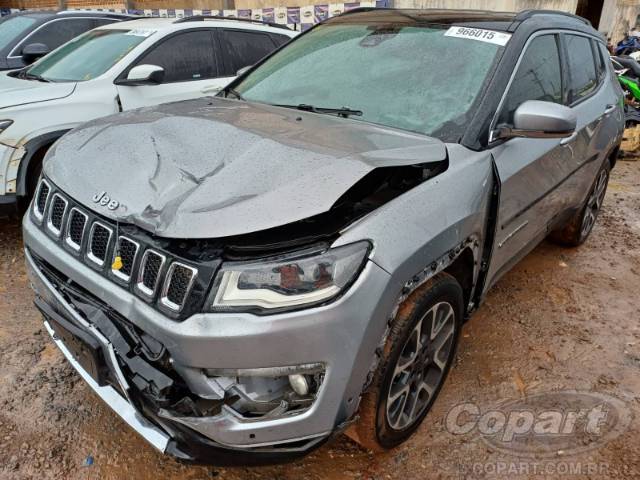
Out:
{"x": 578, "y": 229}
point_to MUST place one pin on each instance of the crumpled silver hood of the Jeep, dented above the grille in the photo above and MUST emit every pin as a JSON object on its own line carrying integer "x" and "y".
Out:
{"x": 214, "y": 167}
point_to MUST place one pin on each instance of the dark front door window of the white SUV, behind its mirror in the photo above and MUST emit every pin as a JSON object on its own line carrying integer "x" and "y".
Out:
{"x": 185, "y": 57}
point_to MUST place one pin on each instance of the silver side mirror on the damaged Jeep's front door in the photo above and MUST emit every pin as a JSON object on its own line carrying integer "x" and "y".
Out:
{"x": 537, "y": 119}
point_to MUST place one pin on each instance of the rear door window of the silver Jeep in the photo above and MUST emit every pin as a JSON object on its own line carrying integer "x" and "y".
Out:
{"x": 582, "y": 68}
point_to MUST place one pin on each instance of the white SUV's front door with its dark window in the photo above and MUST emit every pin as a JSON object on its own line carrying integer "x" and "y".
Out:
{"x": 191, "y": 65}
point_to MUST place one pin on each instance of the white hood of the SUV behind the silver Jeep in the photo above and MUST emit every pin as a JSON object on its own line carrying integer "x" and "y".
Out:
{"x": 15, "y": 91}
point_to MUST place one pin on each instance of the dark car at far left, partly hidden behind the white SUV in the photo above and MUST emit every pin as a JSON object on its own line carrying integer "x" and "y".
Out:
{"x": 27, "y": 36}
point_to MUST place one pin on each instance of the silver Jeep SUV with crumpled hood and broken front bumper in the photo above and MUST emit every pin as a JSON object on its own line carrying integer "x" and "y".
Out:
{"x": 242, "y": 276}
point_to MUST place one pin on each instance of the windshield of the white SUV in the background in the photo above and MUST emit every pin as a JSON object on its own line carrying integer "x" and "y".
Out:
{"x": 87, "y": 56}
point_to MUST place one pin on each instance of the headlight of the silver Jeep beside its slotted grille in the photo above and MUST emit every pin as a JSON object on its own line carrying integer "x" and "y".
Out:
{"x": 288, "y": 282}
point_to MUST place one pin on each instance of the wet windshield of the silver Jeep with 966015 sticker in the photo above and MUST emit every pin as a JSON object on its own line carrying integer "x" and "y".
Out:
{"x": 412, "y": 77}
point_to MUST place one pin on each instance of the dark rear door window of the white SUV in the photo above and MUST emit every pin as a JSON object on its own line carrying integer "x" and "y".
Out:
{"x": 244, "y": 48}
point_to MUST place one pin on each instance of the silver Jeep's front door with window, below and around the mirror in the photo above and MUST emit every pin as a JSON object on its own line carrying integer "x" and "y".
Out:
{"x": 530, "y": 170}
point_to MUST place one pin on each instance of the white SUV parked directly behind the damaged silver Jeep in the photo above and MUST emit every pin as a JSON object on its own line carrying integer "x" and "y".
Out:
{"x": 114, "y": 68}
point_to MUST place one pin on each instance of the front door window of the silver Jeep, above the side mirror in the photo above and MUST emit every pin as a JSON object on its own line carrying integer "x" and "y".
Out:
{"x": 538, "y": 77}
